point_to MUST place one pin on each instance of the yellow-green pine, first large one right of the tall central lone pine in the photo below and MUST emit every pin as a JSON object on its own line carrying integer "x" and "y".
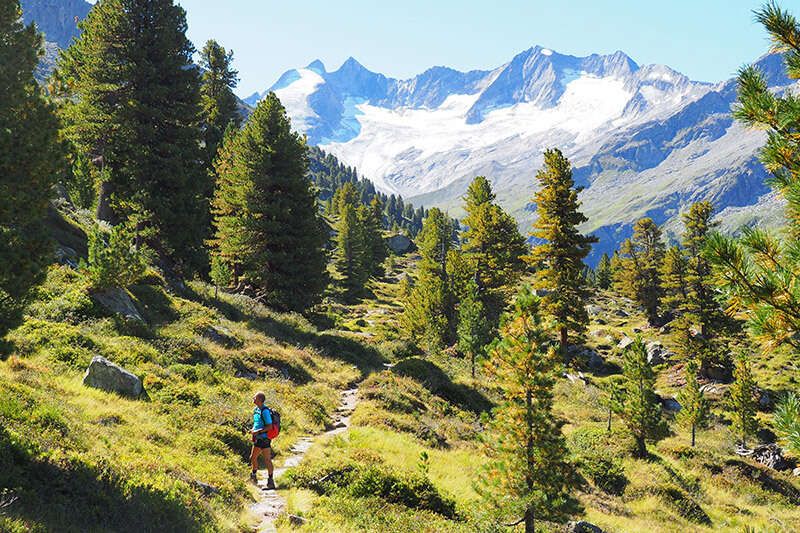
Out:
{"x": 638, "y": 273}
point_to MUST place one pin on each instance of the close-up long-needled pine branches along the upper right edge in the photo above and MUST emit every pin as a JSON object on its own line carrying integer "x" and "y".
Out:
{"x": 760, "y": 273}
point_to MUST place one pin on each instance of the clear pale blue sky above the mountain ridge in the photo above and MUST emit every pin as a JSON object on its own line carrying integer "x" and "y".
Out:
{"x": 705, "y": 39}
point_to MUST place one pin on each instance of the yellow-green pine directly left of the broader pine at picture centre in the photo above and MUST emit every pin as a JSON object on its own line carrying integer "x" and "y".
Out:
{"x": 429, "y": 314}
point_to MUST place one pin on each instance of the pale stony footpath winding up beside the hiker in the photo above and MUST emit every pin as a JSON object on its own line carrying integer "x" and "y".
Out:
{"x": 271, "y": 503}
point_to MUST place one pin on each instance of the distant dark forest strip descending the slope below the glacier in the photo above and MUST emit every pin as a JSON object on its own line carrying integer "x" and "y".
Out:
{"x": 330, "y": 175}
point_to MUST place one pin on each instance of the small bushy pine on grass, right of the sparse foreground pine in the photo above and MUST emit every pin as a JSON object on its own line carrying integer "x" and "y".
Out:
{"x": 641, "y": 410}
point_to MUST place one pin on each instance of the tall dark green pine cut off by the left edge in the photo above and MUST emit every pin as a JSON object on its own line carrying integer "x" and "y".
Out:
{"x": 30, "y": 160}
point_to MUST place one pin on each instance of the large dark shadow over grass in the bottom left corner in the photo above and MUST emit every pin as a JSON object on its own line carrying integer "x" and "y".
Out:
{"x": 71, "y": 496}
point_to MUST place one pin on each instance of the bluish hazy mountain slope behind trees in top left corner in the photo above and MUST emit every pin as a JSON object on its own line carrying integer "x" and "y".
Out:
{"x": 57, "y": 19}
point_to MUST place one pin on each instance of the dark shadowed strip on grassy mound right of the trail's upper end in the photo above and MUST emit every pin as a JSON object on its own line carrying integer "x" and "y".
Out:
{"x": 439, "y": 383}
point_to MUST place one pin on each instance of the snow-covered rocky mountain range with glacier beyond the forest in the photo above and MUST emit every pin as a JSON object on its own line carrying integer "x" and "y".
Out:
{"x": 644, "y": 140}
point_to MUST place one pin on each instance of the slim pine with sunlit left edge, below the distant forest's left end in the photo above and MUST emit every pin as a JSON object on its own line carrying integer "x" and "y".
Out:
{"x": 351, "y": 252}
